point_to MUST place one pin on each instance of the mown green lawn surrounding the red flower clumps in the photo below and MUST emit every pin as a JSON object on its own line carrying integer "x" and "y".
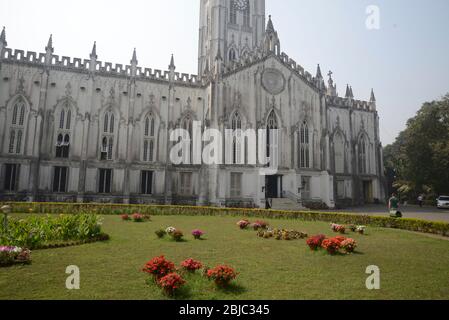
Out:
{"x": 413, "y": 266}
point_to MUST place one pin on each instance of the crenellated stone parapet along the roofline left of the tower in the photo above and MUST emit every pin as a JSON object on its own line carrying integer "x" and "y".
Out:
{"x": 102, "y": 68}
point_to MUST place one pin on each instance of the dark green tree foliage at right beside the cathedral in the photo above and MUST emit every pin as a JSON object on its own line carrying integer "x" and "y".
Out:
{"x": 418, "y": 161}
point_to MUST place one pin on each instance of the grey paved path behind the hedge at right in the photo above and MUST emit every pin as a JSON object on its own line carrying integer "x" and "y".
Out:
{"x": 415, "y": 212}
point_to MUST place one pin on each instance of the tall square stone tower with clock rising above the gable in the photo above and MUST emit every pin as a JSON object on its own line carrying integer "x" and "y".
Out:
{"x": 230, "y": 29}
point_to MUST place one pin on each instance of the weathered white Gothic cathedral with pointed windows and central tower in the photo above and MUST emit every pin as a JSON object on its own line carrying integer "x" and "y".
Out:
{"x": 83, "y": 130}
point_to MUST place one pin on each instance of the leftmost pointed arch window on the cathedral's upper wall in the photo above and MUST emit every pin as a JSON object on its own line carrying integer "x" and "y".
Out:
{"x": 17, "y": 128}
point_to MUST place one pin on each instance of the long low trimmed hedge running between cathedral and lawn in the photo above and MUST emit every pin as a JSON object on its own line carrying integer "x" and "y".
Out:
{"x": 439, "y": 228}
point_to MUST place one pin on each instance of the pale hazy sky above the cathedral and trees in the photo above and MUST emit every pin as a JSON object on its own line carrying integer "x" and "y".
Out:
{"x": 406, "y": 61}
